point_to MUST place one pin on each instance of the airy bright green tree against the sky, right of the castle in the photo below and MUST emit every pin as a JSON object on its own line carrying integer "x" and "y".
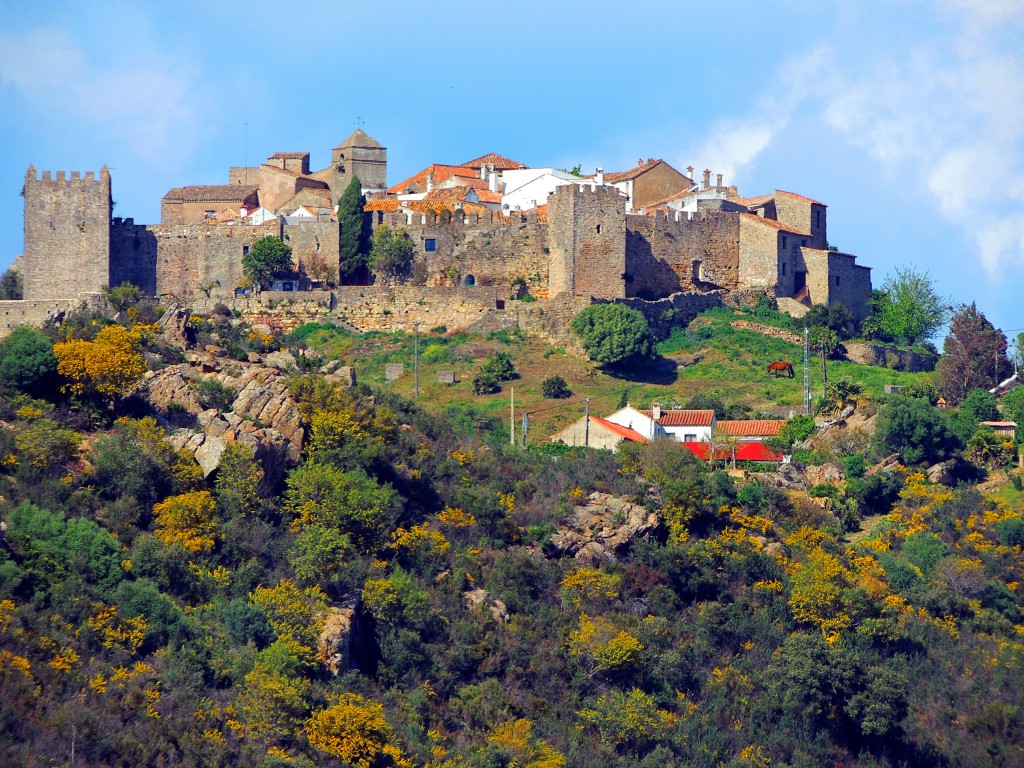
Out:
{"x": 908, "y": 310}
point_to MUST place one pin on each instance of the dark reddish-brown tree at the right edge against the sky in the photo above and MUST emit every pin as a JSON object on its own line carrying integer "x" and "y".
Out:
{"x": 974, "y": 356}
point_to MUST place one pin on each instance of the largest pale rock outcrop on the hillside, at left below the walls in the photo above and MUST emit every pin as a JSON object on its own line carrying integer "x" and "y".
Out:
{"x": 264, "y": 415}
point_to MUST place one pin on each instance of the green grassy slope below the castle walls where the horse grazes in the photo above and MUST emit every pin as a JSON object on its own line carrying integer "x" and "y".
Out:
{"x": 732, "y": 365}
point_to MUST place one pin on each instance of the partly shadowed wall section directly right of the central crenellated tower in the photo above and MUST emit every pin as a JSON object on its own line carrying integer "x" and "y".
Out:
{"x": 666, "y": 254}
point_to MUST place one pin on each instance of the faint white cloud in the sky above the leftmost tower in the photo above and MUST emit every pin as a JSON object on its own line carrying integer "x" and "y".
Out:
{"x": 147, "y": 107}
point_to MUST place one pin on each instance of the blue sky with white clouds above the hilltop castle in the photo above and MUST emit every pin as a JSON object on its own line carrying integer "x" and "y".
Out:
{"x": 906, "y": 118}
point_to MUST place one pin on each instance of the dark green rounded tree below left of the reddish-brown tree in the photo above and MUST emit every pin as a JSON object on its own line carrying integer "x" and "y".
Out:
{"x": 913, "y": 429}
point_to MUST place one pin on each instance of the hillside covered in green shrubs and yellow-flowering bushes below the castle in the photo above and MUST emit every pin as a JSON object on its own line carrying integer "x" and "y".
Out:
{"x": 416, "y": 592}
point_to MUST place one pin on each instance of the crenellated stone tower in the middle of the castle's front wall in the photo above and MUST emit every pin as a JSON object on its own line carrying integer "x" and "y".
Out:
{"x": 587, "y": 241}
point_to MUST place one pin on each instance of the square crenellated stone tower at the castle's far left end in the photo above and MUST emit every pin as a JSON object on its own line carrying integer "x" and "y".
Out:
{"x": 67, "y": 234}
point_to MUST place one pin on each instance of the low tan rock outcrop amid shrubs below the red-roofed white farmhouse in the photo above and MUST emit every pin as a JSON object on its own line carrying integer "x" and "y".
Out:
{"x": 604, "y": 527}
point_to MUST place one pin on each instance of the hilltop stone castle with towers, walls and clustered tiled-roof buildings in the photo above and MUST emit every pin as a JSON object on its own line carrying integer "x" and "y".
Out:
{"x": 644, "y": 236}
